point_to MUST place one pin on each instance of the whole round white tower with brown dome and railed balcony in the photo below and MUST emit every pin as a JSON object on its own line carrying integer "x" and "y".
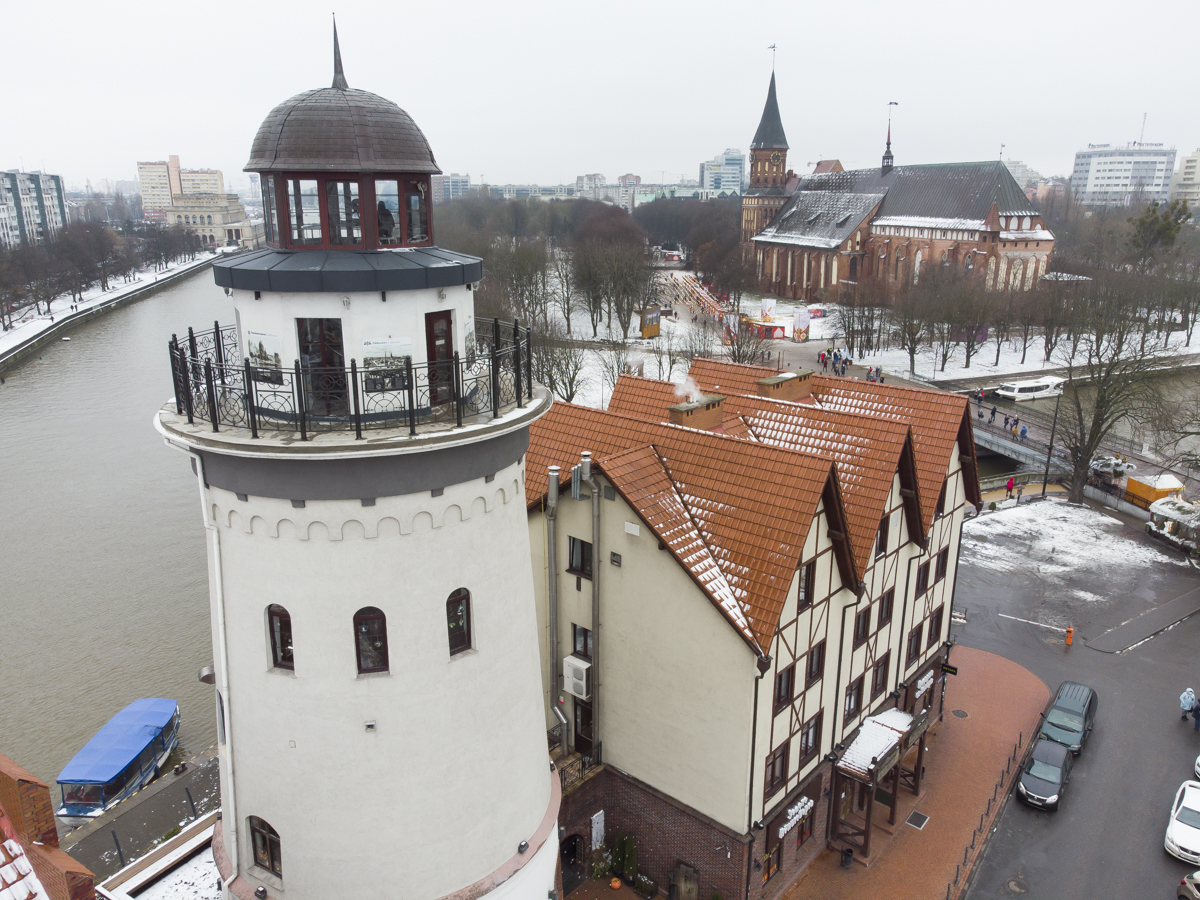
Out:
{"x": 359, "y": 442}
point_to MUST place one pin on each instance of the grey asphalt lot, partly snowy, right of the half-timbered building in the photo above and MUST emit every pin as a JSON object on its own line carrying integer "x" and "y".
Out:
{"x": 1107, "y": 839}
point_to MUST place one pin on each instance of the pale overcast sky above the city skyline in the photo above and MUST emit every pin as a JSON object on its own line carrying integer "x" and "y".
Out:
{"x": 544, "y": 92}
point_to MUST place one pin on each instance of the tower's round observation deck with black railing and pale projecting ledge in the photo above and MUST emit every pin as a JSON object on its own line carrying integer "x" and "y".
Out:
{"x": 224, "y": 404}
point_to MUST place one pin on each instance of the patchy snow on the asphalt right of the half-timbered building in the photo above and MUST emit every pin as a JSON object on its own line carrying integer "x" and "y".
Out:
{"x": 1060, "y": 539}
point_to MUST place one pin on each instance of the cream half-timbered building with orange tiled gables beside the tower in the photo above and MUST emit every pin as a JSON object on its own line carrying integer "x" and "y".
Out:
{"x": 764, "y": 577}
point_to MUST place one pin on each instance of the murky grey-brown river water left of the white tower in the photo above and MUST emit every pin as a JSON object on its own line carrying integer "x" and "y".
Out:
{"x": 104, "y": 587}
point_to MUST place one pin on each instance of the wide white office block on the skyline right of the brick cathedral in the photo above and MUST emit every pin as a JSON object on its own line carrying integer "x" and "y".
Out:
{"x": 1114, "y": 175}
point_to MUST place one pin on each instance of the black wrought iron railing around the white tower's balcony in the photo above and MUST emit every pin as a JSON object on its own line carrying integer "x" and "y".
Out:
{"x": 214, "y": 383}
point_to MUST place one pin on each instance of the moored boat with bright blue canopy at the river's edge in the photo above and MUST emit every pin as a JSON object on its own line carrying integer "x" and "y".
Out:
{"x": 123, "y": 757}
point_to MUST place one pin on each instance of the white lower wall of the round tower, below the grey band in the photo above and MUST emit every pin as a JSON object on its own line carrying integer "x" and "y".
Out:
{"x": 455, "y": 775}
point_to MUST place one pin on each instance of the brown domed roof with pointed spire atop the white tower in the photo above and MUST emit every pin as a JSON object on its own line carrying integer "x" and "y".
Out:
{"x": 340, "y": 129}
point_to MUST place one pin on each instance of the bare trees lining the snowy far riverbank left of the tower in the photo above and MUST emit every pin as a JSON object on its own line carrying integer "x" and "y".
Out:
{"x": 83, "y": 255}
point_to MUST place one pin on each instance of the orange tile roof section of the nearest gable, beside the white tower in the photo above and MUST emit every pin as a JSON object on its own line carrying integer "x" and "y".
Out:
{"x": 734, "y": 513}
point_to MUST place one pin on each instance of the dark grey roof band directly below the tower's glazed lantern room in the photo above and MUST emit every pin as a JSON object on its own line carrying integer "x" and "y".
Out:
{"x": 347, "y": 272}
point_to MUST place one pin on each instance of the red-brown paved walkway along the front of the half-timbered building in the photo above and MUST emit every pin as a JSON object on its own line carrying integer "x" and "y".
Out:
{"x": 963, "y": 764}
